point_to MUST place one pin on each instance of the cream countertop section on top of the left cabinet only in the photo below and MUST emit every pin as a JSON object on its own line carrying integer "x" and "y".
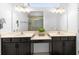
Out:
{"x": 17, "y": 34}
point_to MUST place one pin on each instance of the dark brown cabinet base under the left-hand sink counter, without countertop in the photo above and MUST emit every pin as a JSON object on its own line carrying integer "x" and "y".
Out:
{"x": 16, "y": 46}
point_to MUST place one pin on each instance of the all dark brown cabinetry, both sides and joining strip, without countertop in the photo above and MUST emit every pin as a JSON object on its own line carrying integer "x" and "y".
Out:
{"x": 24, "y": 46}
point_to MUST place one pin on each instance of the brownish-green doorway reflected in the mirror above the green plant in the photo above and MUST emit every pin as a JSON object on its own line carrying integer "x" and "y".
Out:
{"x": 35, "y": 20}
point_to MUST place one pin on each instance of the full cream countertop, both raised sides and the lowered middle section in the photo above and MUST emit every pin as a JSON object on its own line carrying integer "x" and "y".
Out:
{"x": 34, "y": 34}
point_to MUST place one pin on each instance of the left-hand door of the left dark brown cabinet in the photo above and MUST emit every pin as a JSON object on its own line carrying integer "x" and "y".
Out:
{"x": 9, "y": 49}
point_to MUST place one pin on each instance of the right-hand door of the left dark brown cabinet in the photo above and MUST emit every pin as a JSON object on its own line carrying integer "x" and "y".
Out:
{"x": 24, "y": 48}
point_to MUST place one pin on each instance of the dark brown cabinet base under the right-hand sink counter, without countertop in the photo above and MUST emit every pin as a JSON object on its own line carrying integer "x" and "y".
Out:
{"x": 63, "y": 45}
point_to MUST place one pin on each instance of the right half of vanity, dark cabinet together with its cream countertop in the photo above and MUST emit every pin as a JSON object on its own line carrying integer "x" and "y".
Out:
{"x": 63, "y": 43}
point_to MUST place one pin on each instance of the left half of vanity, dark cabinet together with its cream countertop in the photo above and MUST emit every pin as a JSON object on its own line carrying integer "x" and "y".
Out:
{"x": 16, "y": 44}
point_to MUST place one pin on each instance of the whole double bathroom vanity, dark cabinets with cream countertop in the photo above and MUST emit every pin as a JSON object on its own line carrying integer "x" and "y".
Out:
{"x": 60, "y": 43}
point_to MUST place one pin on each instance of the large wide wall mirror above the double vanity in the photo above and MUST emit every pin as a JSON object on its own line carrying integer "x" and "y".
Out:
{"x": 47, "y": 15}
